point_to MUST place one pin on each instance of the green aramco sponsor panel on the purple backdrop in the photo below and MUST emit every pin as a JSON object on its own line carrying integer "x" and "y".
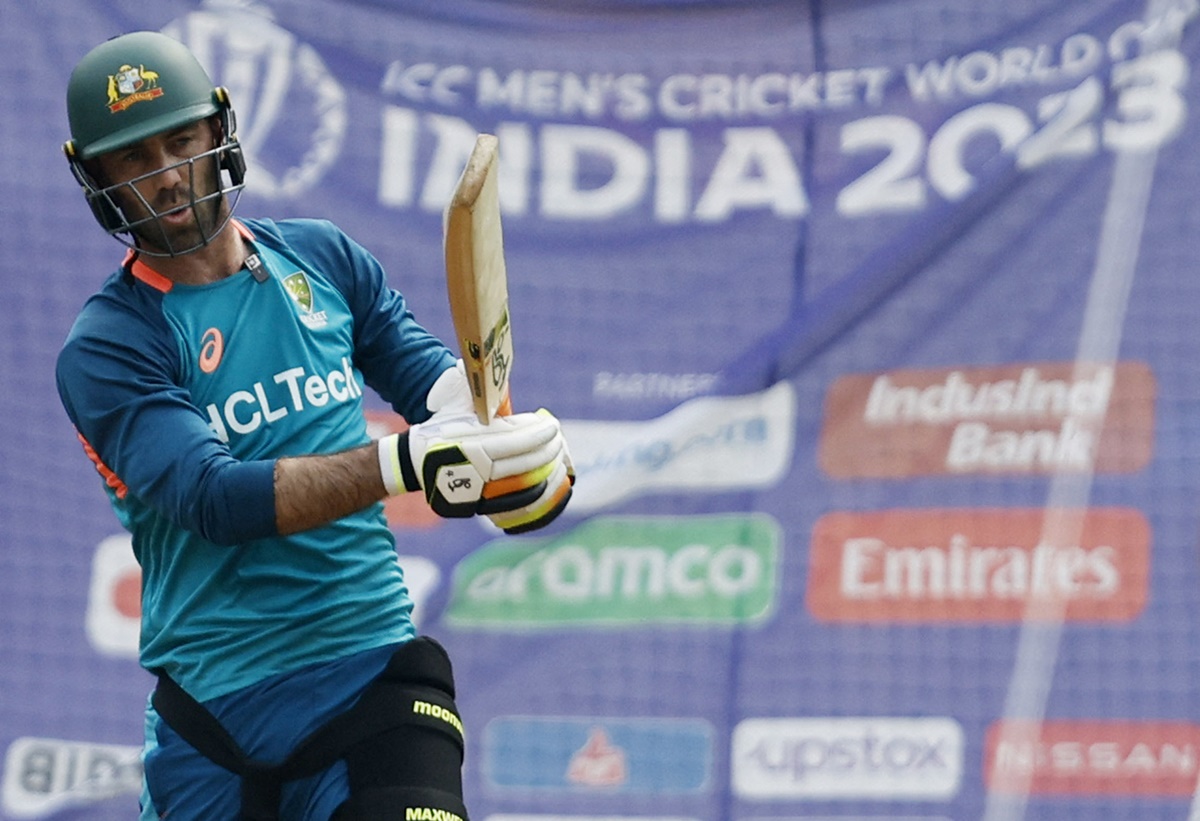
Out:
{"x": 621, "y": 571}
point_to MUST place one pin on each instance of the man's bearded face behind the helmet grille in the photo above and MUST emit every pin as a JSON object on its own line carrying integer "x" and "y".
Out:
{"x": 167, "y": 191}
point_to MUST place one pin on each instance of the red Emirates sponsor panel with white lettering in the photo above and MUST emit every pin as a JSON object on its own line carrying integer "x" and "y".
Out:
{"x": 980, "y": 565}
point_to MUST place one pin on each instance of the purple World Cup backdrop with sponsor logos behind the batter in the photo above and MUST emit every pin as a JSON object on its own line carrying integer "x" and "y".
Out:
{"x": 874, "y": 328}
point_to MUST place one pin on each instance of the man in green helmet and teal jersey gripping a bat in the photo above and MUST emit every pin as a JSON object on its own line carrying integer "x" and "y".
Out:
{"x": 217, "y": 381}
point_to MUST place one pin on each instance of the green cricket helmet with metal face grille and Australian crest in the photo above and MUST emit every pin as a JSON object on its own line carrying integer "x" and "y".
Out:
{"x": 131, "y": 88}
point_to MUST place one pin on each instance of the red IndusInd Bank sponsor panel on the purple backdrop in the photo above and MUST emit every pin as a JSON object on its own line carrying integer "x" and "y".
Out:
{"x": 1040, "y": 418}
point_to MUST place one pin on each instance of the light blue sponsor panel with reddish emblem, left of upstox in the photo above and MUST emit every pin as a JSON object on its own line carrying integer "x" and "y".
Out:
{"x": 610, "y": 756}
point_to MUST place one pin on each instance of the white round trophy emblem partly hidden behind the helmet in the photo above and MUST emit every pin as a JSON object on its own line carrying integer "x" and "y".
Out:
{"x": 278, "y": 86}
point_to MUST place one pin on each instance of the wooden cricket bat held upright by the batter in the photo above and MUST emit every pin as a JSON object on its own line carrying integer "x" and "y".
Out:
{"x": 477, "y": 280}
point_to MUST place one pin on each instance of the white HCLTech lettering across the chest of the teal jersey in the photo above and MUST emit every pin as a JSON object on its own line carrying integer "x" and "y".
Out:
{"x": 292, "y": 391}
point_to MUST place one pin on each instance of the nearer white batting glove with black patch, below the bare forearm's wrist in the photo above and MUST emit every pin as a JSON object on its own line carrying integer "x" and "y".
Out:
{"x": 467, "y": 469}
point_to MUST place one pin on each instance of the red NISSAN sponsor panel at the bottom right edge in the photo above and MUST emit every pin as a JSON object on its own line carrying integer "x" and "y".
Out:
{"x": 1093, "y": 758}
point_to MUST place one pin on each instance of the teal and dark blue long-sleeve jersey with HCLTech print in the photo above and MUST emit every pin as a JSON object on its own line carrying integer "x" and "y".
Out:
{"x": 185, "y": 398}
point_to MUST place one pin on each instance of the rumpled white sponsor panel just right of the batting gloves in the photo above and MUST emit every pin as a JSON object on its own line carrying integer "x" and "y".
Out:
{"x": 712, "y": 444}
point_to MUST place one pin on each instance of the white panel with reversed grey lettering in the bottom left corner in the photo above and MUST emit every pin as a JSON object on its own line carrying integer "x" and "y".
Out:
{"x": 46, "y": 776}
